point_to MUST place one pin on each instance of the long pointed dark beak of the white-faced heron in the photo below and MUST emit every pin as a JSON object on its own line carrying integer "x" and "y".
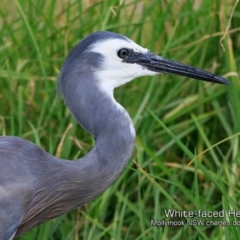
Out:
{"x": 156, "y": 63}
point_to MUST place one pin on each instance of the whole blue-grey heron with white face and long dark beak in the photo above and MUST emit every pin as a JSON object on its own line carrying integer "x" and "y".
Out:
{"x": 36, "y": 186}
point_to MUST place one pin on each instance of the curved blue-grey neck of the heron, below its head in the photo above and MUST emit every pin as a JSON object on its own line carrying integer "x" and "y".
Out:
{"x": 112, "y": 128}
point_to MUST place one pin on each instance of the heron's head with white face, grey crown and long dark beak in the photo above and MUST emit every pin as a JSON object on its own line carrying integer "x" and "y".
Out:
{"x": 114, "y": 60}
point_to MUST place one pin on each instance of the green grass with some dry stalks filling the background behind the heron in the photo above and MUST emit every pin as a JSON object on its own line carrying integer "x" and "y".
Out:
{"x": 187, "y": 153}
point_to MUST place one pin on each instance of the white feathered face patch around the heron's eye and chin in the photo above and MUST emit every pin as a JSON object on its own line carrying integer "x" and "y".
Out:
{"x": 114, "y": 72}
